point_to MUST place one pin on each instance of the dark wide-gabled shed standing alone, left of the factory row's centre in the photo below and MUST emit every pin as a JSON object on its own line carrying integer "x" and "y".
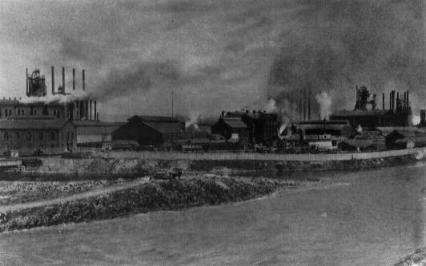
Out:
{"x": 150, "y": 130}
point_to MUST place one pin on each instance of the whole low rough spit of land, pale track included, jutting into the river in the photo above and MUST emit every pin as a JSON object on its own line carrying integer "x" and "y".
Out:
{"x": 151, "y": 195}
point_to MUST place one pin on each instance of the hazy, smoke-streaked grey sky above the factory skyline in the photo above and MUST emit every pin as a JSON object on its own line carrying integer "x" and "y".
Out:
{"x": 214, "y": 55}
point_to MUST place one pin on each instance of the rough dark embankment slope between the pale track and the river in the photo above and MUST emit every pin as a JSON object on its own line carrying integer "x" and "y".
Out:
{"x": 152, "y": 196}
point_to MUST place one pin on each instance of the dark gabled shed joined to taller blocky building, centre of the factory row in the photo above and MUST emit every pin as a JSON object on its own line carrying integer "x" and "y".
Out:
{"x": 260, "y": 127}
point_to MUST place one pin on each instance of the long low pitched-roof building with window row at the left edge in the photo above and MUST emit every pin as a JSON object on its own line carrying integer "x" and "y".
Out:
{"x": 38, "y": 135}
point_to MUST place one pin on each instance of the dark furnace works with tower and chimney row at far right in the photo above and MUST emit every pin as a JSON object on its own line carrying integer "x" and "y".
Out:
{"x": 367, "y": 114}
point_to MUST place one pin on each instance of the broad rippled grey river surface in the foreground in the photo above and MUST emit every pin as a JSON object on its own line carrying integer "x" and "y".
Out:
{"x": 374, "y": 217}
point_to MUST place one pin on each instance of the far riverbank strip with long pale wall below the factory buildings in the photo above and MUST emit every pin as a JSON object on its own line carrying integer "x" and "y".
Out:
{"x": 133, "y": 164}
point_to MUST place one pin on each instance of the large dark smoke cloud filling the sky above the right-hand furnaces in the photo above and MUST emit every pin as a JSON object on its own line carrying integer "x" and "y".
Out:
{"x": 335, "y": 45}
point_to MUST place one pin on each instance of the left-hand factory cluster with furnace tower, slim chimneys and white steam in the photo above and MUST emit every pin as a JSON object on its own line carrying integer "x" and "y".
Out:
{"x": 49, "y": 123}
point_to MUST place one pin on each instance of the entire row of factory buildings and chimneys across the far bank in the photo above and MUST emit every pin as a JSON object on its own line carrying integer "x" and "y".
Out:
{"x": 60, "y": 124}
